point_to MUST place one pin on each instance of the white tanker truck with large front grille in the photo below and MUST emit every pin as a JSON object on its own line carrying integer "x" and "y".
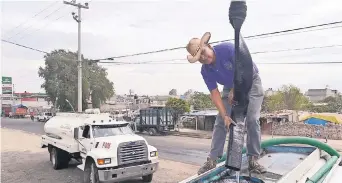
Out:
{"x": 107, "y": 150}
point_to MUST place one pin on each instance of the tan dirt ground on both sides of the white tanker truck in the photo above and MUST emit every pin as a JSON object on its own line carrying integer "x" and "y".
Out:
{"x": 22, "y": 160}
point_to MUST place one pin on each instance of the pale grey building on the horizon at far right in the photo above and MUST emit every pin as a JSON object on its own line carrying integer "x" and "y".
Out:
{"x": 317, "y": 95}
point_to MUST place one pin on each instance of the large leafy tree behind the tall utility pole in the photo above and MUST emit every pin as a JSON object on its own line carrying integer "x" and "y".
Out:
{"x": 60, "y": 80}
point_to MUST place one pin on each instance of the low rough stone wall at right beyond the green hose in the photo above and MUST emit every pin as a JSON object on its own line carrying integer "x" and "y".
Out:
{"x": 333, "y": 132}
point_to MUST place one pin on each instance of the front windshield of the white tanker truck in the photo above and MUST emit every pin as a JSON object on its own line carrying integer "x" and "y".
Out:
{"x": 111, "y": 130}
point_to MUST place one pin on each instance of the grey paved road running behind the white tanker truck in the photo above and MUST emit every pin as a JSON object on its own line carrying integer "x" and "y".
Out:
{"x": 182, "y": 149}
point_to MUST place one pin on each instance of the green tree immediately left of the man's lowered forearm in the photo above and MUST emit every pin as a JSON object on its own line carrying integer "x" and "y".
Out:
{"x": 201, "y": 101}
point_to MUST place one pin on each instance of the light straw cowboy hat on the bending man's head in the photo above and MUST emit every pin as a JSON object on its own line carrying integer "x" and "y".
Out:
{"x": 196, "y": 46}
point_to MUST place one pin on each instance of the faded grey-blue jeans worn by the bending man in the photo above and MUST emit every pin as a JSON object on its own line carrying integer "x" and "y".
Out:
{"x": 256, "y": 96}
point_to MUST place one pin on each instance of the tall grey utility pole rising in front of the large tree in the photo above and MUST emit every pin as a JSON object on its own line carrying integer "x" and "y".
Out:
{"x": 78, "y": 19}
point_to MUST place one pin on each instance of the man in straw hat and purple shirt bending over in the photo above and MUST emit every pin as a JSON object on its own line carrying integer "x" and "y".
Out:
{"x": 218, "y": 67}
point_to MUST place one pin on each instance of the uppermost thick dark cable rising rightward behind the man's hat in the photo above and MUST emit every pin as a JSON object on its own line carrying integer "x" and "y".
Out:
{"x": 247, "y": 37}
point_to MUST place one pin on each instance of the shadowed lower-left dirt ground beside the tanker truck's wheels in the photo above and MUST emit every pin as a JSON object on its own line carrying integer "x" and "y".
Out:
{"x": 31, "y": 167}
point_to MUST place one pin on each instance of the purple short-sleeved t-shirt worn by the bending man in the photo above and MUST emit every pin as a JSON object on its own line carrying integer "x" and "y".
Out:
{"x": 222, "y": 71}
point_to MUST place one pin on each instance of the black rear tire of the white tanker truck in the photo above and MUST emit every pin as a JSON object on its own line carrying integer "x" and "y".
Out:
{"x": 59, "y": 158}
